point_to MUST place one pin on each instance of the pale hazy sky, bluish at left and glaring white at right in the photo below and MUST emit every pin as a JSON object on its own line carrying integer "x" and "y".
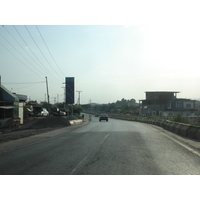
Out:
{"x": 109, "y": 62}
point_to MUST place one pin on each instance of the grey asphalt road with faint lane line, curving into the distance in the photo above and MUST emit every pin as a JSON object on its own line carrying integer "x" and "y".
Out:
{"x": 104, "y": 148}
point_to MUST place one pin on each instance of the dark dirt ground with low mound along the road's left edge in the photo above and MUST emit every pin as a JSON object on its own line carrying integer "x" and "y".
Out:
{"x": 32, "y": 127}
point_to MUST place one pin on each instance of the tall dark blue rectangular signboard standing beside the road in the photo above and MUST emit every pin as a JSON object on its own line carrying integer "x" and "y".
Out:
{"x": 69, "y": 90}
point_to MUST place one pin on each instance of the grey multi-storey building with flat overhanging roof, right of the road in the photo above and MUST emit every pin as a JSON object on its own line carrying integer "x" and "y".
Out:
{"x": 166, "y": 104}
